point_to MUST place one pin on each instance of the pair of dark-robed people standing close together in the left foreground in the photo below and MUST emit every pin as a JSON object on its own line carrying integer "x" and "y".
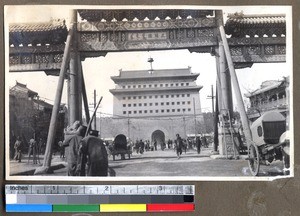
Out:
{"x": 87, "y": 155}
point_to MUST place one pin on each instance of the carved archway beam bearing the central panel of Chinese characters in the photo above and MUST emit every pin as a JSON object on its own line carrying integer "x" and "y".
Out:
{"x": 145, "y": 40}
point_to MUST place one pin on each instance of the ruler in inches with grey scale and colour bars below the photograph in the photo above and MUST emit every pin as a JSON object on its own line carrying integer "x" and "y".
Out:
{"x": 99, "y": 198}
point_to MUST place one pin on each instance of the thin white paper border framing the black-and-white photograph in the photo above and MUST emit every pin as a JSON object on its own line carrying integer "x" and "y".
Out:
{"x": 289, "y": 63}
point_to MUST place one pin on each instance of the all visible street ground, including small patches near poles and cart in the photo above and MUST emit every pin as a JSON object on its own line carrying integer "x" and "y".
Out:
{"x": 164, "y": 163}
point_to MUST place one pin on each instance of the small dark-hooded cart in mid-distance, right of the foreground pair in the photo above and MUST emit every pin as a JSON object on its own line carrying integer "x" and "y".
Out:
{"x": 120, "y": 147}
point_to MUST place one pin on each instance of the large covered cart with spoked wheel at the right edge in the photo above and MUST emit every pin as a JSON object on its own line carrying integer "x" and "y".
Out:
{"x": 270, "y": 141}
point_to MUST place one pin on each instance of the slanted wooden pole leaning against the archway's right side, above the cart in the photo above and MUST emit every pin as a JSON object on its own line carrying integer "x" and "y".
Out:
{"x": 235, "y": 83}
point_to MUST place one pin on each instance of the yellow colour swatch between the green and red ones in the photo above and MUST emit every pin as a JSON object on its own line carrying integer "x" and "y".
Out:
{"x": 123, "y": 208}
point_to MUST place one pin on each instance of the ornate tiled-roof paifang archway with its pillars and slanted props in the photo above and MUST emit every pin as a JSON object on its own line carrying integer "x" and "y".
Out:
{"x": 254, "y": 39}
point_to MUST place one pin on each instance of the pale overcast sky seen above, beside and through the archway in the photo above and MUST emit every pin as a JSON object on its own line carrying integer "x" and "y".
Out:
{"x": 97, "y": 71}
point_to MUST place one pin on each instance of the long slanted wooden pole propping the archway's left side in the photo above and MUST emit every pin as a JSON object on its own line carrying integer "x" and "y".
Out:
{"x": 55, "y": 110}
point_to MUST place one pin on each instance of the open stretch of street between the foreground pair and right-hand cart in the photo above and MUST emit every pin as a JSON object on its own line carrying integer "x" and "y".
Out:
{"x": 166, "y": 163}
